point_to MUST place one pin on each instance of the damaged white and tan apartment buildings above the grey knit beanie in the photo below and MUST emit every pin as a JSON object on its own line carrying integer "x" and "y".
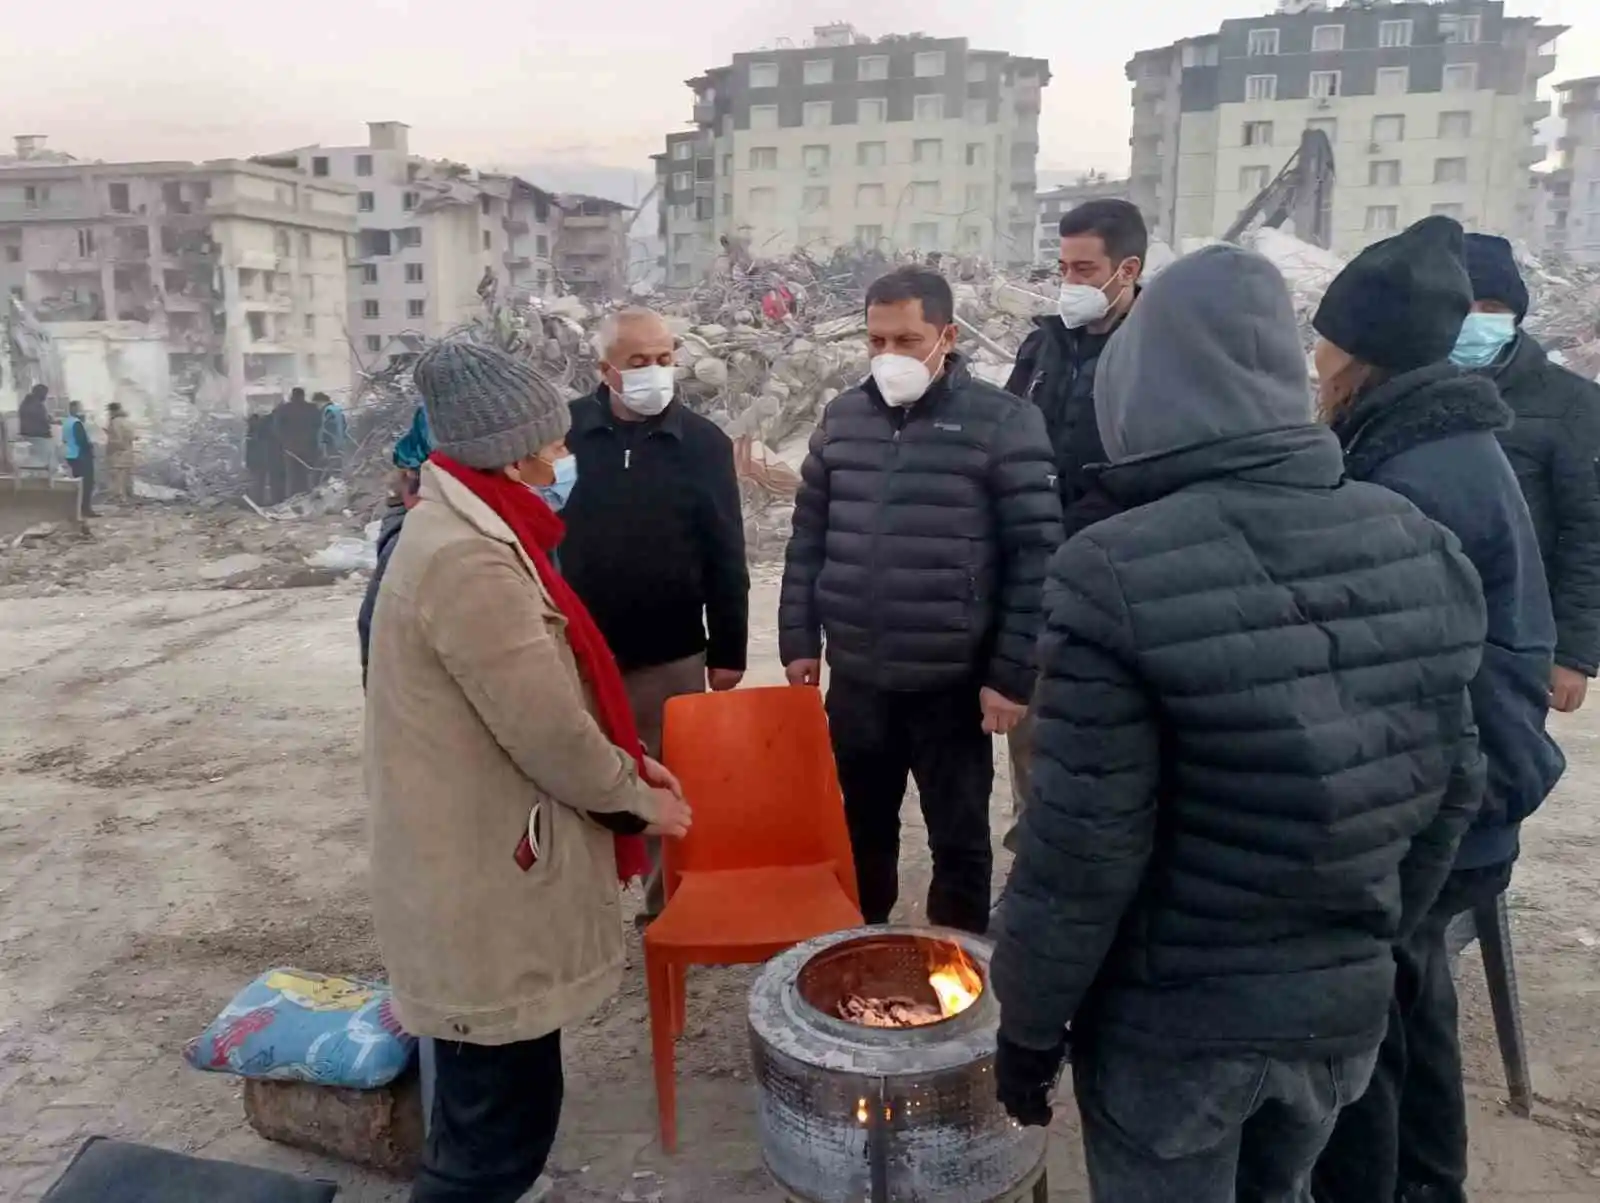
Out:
{"x": 436, "y": 238}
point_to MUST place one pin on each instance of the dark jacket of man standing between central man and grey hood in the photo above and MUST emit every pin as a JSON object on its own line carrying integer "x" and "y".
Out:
{"x": 1055, "y": 370}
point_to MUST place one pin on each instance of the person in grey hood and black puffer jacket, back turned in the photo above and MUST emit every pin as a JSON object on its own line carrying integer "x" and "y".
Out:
{"x": 1254, "y": 761}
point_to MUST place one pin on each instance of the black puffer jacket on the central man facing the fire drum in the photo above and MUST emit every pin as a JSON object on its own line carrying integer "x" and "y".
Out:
{"x": 921, "y": 540}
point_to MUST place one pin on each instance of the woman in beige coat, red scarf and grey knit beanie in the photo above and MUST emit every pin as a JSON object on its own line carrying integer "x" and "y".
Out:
{"x": 506, "y": 780}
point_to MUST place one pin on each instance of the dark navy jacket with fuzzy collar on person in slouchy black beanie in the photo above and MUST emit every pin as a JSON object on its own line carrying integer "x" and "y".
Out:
{"x": 1431, "y": 436}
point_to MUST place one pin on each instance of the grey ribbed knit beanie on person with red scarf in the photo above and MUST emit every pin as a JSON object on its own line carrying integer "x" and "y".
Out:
{"x": 487, "y": 409}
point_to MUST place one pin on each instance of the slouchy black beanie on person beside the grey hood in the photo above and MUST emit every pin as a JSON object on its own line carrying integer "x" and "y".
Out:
{"x": 1401, "y": 303}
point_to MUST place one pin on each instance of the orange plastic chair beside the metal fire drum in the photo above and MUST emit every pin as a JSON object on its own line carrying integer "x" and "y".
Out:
{"x": 767, "y": 863}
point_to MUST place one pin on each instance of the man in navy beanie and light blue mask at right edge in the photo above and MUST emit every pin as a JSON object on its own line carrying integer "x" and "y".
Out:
{"x": 1553, "y": 447}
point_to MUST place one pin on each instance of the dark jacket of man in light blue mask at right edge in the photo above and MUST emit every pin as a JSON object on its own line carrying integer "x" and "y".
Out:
{"x": 1553, "y": 447}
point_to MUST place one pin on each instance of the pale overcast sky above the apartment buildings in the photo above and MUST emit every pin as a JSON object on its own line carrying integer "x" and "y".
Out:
{"x": 514, "y": 82}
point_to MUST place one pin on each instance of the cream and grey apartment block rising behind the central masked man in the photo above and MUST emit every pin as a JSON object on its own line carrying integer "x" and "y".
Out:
{"x": 905, "y": 142}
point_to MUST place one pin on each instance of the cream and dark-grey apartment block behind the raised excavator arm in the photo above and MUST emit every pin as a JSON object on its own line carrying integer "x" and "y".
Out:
{"x": 1431, "y": 108}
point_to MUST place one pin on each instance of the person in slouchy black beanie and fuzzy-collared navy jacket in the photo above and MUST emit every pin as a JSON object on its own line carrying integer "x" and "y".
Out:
{"x": 1422, "y": 426}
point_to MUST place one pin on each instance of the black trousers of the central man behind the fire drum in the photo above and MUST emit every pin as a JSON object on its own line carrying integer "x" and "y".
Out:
{"x": 938, "y": 740}
